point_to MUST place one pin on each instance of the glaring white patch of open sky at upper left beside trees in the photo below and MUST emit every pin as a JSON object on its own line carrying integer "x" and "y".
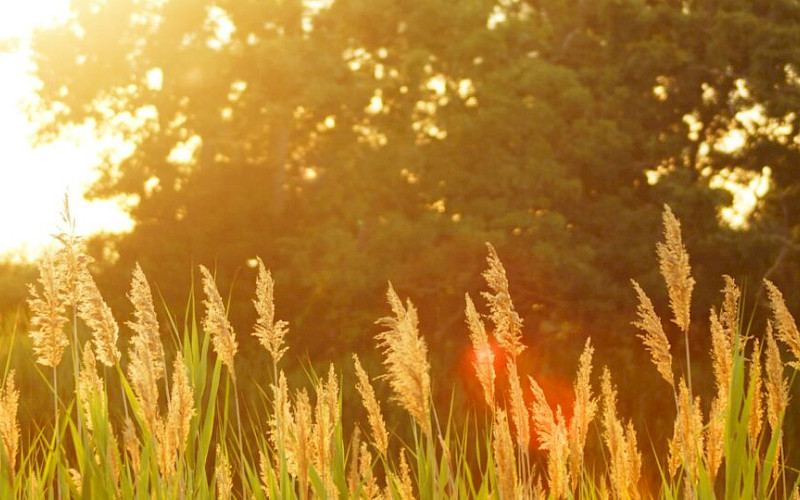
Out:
{"x": 33, "y": 180}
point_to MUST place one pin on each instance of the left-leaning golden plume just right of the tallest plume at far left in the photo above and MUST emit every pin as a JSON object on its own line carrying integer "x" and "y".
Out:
{"x": 94, "y": 311}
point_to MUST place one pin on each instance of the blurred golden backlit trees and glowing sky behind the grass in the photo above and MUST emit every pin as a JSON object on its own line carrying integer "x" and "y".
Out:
{"x": 353, "y": 142}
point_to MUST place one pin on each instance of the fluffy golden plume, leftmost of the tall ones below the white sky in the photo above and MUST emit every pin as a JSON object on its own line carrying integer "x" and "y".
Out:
{"x": 48, "y": 315}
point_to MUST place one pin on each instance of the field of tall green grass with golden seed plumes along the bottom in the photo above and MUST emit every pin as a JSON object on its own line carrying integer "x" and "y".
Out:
{"x": 177, "y": 429}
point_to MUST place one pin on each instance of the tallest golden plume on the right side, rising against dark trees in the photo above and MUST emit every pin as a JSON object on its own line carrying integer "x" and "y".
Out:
{"x": 674, "y": 263}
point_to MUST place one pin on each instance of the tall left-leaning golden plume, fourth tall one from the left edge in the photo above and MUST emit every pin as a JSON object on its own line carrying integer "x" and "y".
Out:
{"x": 145, "y": 323}
